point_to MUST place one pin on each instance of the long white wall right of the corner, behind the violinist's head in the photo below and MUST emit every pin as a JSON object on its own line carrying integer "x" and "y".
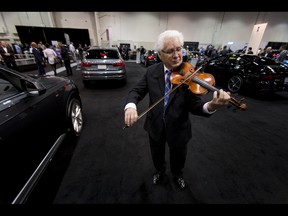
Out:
{"x": 203, "y": 27}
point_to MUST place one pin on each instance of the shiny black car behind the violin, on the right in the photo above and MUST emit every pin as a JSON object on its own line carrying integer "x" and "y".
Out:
{"x": 238, "y": 72}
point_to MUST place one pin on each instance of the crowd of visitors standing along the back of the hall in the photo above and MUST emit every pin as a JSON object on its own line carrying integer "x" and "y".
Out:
{"x": 52, "y": 54}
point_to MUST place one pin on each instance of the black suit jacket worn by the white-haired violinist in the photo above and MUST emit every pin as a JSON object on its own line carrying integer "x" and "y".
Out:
{"x": 181, "y": 102}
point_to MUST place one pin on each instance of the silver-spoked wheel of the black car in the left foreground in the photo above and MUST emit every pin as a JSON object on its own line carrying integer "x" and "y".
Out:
{"x": 75, "y": 117}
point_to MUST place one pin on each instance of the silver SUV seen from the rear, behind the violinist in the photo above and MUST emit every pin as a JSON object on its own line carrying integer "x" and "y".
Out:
{"x": 101, "y": 63}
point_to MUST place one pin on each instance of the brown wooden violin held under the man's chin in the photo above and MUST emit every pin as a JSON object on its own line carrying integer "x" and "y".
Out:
{"x": 198, "y": 82}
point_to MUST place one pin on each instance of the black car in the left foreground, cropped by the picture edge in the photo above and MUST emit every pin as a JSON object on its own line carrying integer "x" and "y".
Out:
{"x": 36, "y": 115}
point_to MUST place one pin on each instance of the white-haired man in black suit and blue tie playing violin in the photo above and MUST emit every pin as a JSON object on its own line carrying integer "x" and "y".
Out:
{"x": 170, "y": 124}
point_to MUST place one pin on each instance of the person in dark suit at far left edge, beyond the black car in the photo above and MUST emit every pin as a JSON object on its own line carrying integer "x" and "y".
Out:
{"x": 7, "y": 54}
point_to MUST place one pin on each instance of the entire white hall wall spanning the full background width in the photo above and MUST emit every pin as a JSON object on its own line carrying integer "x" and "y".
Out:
{"x": 142, "y": 28}
